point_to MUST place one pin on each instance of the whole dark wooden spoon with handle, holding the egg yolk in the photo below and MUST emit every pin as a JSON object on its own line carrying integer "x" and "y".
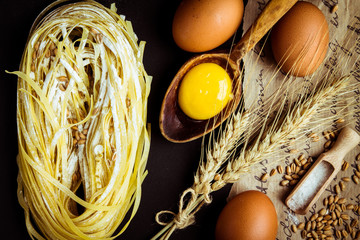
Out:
{"x": 174, "y": 124}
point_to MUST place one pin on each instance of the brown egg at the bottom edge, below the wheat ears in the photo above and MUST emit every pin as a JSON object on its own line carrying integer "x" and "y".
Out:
{"x": 250, "y": 215}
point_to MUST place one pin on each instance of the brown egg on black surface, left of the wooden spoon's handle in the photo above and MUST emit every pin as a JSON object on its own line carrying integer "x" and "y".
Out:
{"x": 202, "y": 25}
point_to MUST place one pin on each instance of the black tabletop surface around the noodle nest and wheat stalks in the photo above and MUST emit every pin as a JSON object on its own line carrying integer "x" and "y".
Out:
{"x": 171, "y": 166}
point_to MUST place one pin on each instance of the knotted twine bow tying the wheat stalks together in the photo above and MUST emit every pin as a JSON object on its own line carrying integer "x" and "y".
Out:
{"x": 185, "y": 216}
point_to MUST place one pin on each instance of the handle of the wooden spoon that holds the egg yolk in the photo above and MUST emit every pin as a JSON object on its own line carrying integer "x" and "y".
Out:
{"x": 273, "y": 11}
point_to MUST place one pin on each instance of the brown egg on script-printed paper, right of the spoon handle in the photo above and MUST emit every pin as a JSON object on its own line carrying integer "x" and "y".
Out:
{"x": 300, "y": 40}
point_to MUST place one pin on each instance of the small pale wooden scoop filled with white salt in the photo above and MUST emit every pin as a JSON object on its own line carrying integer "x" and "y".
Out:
{"x": 323, "y": 171}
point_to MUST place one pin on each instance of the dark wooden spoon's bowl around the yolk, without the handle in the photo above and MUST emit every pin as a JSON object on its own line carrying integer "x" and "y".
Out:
{"x": 175, "y": 126}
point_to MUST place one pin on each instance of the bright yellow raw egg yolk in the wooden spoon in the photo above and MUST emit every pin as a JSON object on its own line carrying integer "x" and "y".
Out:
{"x": 204, "y": 91}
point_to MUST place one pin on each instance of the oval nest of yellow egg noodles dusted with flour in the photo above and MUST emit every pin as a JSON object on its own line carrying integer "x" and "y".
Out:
{"x": 81, "y": 116}
